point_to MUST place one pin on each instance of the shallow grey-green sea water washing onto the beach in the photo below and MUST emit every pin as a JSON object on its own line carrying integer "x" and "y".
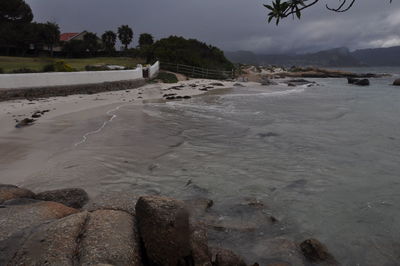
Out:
{"x": 324, "y": 160}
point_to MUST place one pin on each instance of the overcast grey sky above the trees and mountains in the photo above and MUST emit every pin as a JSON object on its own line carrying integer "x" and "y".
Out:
{"x": 232, "y": 24}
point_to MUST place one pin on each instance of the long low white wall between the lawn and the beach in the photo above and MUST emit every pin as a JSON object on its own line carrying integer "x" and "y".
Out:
{"x": 12, "y": 81}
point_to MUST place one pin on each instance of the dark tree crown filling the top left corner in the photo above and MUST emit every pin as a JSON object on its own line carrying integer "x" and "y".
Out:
{"x": 16, "y": 11}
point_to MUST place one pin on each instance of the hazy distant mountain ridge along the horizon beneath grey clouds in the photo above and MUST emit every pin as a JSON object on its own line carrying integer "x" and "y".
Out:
{"x": 339, "y": 57}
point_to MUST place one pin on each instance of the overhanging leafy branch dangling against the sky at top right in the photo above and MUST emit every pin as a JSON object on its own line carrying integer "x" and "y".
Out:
{"x": 279, "y": 10}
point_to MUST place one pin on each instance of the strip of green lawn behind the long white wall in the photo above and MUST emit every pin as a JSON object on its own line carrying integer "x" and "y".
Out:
{"x": 8, "y": 63}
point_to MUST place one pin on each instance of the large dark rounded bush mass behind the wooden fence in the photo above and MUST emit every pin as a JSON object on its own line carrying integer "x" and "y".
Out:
{"x": 189, "y": 52}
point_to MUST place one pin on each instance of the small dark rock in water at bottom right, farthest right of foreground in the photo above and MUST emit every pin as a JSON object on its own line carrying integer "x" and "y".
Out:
{"x": 315, "y": 251}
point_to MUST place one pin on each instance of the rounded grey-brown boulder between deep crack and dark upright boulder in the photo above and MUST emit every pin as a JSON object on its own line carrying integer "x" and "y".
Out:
{"x": 110, "y": 238}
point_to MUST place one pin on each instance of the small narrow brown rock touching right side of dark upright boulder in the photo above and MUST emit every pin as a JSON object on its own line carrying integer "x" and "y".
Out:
{"x": 199, "y": 245}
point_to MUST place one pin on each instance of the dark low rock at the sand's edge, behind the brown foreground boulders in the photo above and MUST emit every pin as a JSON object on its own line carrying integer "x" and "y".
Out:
{"x": 71, "y": 197}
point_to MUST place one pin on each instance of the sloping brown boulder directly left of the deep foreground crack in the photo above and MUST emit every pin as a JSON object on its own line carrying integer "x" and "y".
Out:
{"x": 52, "y": 244}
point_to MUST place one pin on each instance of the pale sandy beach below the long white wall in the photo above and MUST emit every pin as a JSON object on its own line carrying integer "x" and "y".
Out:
{"x": 69, "y": 121}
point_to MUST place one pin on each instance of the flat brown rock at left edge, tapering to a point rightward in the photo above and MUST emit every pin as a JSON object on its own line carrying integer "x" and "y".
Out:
{"x": 18, "y": 217}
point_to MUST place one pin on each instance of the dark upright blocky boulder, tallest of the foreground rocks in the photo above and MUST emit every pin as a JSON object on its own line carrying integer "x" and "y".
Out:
{"x": 163, "y": 225}
